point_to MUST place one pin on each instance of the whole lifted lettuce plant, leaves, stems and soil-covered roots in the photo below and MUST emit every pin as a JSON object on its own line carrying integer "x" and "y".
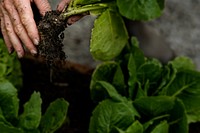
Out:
{"x": 109, "y": 35}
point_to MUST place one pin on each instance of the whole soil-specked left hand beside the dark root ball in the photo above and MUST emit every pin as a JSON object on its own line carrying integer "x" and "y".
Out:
{"x": 18, "y": 26}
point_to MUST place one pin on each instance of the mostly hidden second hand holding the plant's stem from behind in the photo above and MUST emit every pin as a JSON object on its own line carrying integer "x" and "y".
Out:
{"x": 62, "y": 5}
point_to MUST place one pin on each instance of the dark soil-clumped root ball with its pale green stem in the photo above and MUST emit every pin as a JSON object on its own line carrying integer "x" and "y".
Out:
{"x": 51, "y": 28}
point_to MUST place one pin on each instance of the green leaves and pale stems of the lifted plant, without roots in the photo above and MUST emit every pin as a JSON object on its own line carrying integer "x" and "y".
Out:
{"x": 109, "y": 35}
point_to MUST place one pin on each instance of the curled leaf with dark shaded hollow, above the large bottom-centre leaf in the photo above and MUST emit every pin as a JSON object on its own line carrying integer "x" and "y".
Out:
{"x": 103, "y": 90}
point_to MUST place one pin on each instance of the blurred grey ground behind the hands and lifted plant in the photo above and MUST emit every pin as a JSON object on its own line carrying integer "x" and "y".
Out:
{"x": 175, "y": 33}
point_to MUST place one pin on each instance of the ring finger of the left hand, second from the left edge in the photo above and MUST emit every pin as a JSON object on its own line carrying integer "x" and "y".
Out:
{"x": 14, "y": 40}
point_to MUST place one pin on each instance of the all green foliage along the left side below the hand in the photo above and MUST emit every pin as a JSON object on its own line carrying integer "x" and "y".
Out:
{"x": 31, "y": 120}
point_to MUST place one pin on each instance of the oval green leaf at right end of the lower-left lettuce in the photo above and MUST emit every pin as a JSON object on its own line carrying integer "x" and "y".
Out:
{"x": 54, "y": 116}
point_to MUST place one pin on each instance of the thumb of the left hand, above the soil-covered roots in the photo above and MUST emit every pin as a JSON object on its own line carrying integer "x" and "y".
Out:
{"x": 43, "y": 6}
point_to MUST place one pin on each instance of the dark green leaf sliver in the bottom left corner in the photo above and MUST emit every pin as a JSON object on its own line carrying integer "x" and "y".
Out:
{"x": 9, "y": 129}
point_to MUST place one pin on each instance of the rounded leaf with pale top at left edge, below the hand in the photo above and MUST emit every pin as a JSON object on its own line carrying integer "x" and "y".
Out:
{"x": 9, "y": 101}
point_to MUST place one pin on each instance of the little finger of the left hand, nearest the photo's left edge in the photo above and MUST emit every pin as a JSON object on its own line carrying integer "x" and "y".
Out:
{"x": 5, "y": 37}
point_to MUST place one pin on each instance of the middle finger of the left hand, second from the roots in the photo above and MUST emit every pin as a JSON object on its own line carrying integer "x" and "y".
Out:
{"x": 19, "y": 29}
